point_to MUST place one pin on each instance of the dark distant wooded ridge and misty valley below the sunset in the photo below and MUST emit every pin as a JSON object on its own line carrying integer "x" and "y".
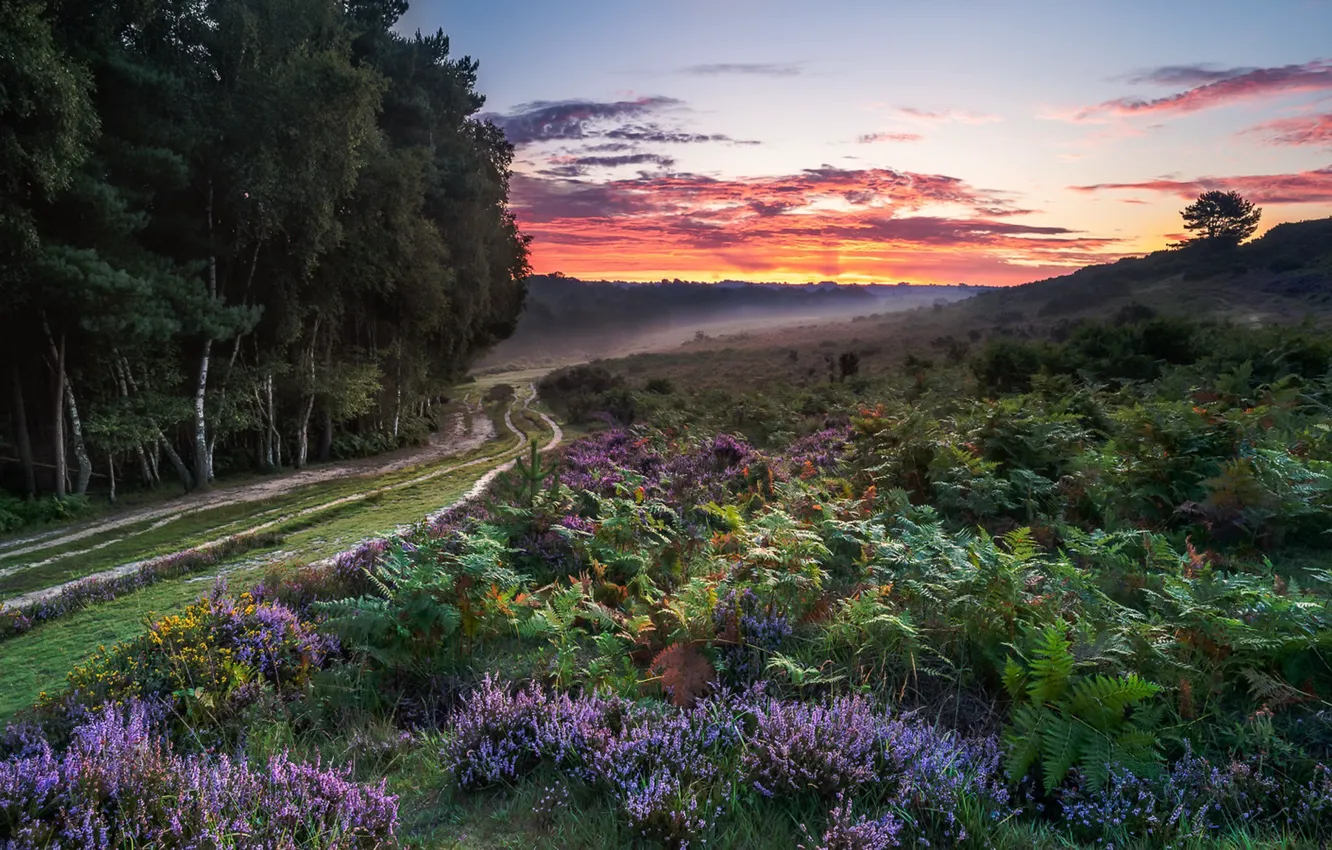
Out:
{"x": 568, "y": 319}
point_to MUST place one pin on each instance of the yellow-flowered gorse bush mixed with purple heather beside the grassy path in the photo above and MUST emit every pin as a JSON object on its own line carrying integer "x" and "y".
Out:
{"x": 214, "y": 659}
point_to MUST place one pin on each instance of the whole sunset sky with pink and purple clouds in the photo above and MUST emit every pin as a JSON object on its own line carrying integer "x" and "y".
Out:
{"x": 932, "y": 142}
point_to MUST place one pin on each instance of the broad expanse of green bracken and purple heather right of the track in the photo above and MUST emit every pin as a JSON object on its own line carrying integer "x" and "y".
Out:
{"x": 1066, "y": 594}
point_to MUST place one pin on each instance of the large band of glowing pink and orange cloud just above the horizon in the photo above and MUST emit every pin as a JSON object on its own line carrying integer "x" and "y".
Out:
{"x": 866, "y": 224}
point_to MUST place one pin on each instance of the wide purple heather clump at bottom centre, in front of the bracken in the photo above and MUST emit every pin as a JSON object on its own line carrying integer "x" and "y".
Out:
{"x": 665, "y": 768}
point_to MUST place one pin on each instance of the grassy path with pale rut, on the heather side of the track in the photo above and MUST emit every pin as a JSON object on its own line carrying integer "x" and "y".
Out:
{"x": 39, "y": 660}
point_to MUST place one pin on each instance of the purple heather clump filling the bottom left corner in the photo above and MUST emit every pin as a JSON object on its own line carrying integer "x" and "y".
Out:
{"x": 121, "y": 785}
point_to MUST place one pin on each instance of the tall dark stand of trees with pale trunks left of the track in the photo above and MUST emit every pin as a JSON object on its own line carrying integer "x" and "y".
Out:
{"x": 238, "y": 234}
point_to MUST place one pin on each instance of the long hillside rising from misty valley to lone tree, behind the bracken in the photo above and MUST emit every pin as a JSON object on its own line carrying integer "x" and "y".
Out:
{"x": 1283, "y": 278}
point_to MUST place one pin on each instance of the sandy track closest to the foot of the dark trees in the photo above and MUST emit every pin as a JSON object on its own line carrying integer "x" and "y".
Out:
{"x": 458, "y": 439}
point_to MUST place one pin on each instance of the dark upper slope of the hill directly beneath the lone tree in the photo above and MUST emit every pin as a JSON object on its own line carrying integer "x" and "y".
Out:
{"x": 1283, "y": 276}
